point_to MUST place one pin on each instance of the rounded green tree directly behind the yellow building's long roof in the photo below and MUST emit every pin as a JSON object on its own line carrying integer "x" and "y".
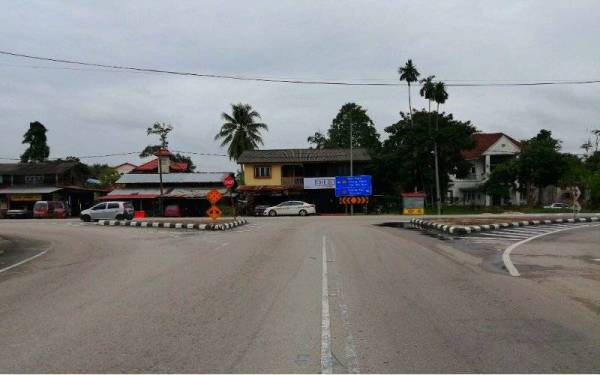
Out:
{"x": 364, "y": 133}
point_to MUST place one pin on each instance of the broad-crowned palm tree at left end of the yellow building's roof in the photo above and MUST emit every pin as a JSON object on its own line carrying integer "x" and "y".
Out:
{"x": 240, "y": 130}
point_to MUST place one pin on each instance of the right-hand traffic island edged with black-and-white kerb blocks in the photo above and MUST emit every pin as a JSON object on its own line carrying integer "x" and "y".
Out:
{"x": 461, "y": 226}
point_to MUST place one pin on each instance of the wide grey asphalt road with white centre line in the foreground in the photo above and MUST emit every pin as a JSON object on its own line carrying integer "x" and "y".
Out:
{"x": 263, "y": 298}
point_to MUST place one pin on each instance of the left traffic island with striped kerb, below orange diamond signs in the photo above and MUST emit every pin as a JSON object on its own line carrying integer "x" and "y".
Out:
{"x": 197, "y": 224}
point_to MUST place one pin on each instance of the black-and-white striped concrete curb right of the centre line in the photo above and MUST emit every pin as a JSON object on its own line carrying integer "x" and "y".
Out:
{"x": 466, "y": 229}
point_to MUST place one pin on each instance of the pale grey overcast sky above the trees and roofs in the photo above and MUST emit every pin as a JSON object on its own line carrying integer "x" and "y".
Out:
{"x": 91, "y": 112}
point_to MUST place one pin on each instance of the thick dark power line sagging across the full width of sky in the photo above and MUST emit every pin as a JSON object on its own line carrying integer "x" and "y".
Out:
{"x": 290, "y": 81}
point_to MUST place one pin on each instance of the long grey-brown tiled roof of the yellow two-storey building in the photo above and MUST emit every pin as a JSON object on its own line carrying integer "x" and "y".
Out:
{"x": 303, "y": 155}
